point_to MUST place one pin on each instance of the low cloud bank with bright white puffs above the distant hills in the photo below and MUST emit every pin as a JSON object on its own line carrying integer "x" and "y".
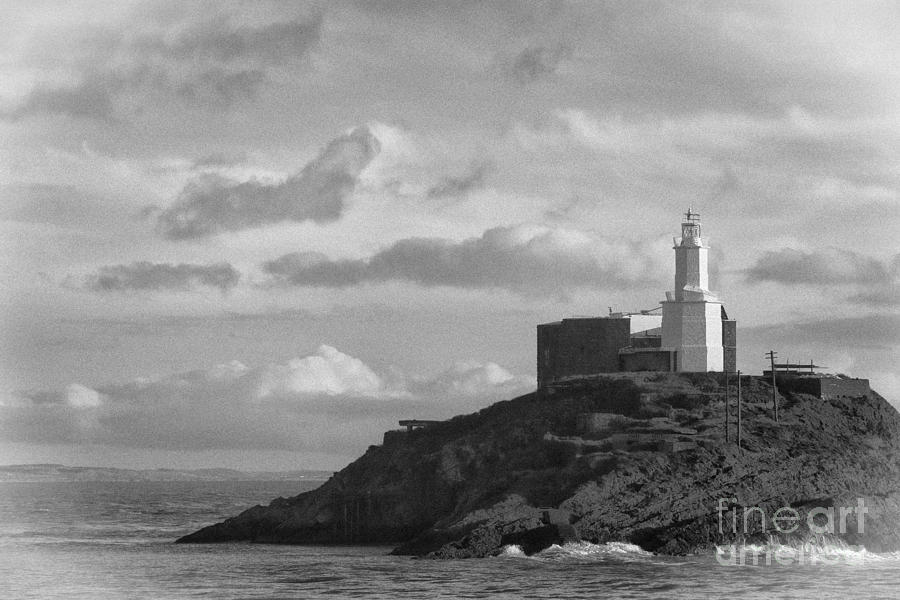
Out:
{"x": 327, "y": 401}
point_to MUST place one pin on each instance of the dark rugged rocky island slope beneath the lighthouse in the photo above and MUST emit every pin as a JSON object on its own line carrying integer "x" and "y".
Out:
{"x": 662, "y": 476}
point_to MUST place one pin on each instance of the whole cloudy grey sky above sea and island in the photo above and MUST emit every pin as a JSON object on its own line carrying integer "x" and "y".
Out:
{"x": 255, "y": 235}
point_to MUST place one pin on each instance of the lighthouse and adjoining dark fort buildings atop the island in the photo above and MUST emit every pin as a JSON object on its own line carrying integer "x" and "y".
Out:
{"x": 693, "y": 332}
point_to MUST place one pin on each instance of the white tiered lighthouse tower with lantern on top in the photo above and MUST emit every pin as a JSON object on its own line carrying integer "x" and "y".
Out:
{"x": 692, "y": 315}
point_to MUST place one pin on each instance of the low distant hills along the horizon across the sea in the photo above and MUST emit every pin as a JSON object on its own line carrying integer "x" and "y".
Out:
{"x": 54, "y": 472}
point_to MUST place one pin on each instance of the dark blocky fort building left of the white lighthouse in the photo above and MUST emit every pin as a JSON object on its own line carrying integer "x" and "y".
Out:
{"x": 580, "y": 347}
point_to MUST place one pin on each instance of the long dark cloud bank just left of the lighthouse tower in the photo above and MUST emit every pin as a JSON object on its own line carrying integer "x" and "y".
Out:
{"x": 532, "y": 260}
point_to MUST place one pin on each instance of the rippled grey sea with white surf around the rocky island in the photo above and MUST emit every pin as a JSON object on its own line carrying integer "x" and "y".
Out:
{"x": 98, "y": 540}
